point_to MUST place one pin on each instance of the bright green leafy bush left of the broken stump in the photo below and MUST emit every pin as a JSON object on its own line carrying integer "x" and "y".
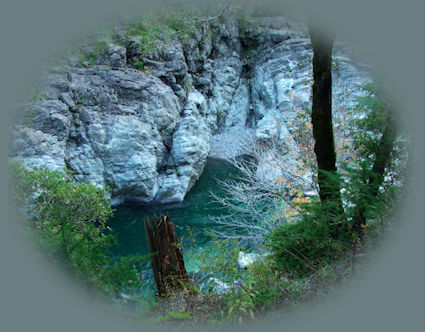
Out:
{"x": 68, "y": 220}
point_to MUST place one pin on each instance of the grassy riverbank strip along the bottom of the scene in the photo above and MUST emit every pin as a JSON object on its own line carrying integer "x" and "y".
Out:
{"x": 239, "y": 309}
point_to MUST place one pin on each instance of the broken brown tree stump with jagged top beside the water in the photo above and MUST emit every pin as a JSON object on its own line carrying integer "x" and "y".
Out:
{"x": 167, "y": 260}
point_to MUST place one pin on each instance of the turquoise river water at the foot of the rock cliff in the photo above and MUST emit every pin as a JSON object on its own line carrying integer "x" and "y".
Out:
{"x": 192, "y": 219}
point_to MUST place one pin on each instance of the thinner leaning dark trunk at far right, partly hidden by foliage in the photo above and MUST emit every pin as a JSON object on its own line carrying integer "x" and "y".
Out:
{"x": 382, "y": 160}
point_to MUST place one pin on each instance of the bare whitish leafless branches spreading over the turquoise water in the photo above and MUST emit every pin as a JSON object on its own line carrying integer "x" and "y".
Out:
{"x": 261, "y": 198}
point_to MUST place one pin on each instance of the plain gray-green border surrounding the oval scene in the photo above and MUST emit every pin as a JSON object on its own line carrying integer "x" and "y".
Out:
{"x": 388, "y": 297}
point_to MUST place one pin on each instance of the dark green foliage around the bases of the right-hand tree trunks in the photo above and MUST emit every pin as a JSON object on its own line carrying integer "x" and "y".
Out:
{"x": 312, "y": 242}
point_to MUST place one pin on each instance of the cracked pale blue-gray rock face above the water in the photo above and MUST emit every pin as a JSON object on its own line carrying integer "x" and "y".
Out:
{"x": 147, "y": 134}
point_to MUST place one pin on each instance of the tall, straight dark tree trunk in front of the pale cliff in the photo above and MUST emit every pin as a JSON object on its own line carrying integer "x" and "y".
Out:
{"x": 321, "y": 116}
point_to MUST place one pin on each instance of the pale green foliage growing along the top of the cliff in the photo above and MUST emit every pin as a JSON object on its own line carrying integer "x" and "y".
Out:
{"x": 153, "y": 29}
